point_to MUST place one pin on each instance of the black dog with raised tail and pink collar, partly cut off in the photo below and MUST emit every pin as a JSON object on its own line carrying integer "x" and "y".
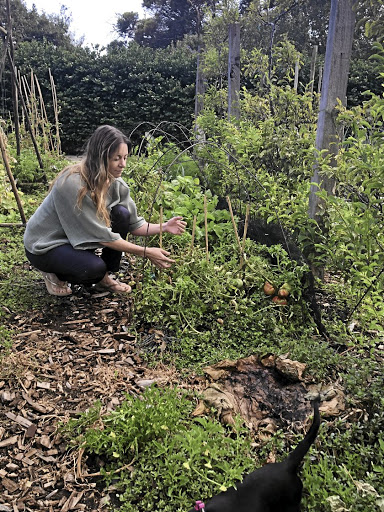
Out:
{"x": 272, "y": 488}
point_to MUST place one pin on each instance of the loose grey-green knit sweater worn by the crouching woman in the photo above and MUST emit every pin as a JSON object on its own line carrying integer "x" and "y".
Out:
{"x": 59, "y": 221}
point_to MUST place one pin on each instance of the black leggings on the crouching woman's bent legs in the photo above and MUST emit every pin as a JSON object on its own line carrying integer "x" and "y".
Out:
{"x": 84, "y": 267}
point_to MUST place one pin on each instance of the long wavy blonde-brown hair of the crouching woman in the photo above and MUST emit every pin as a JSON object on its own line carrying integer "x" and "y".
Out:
{"x": 93, "y": 168}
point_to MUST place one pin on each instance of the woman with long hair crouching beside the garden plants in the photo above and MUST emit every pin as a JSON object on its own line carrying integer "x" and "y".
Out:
{"x": 89, "y": 207}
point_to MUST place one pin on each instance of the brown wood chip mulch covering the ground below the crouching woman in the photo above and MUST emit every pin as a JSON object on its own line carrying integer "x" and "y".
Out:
{"x": 64, "y": 358}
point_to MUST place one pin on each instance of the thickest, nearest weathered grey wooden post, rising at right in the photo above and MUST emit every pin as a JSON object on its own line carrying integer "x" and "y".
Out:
{"x": 334, "y": 87}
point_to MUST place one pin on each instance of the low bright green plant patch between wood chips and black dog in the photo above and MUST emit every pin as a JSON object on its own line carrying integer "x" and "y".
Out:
{"x": 178, "y": 458}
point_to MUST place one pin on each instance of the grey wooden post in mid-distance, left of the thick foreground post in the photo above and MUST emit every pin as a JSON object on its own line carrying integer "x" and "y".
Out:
{"x": 234, "y": 71}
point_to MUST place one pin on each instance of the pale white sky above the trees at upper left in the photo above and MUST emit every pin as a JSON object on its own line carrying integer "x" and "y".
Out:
{"x": 90, "y": 18}
